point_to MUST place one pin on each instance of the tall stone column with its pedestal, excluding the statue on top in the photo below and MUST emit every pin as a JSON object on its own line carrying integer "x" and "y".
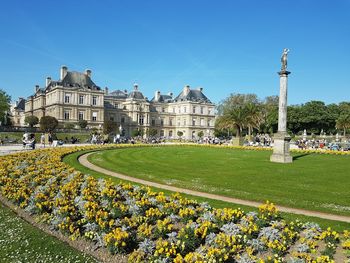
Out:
{"x": 281, "y": 138}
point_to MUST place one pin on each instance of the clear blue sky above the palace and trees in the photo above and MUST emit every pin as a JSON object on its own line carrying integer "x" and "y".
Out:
{"x": 223, "y": 46}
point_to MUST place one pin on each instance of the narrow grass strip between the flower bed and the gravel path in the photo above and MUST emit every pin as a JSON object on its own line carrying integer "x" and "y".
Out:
{"x": 336, "y": 225}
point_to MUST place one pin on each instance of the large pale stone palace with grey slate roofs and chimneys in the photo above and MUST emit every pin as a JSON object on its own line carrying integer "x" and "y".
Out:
{"x": 76, "y": 97}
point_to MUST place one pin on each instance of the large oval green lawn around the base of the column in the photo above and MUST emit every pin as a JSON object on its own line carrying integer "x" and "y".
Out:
{"x": 313, "y": 182}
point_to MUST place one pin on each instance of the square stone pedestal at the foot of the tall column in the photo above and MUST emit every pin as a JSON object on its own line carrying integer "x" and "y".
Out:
{"x": 281, "y": 148}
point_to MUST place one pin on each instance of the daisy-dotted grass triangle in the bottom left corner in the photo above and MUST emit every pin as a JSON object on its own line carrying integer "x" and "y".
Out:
{"x": 22, "y": 242}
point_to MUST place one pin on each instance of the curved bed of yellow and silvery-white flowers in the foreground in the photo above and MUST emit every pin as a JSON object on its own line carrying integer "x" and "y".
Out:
{"x": 152, "y": 227}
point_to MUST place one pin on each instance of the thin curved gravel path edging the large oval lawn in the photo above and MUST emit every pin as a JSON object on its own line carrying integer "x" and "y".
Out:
{"x": 84, "y": 161}
